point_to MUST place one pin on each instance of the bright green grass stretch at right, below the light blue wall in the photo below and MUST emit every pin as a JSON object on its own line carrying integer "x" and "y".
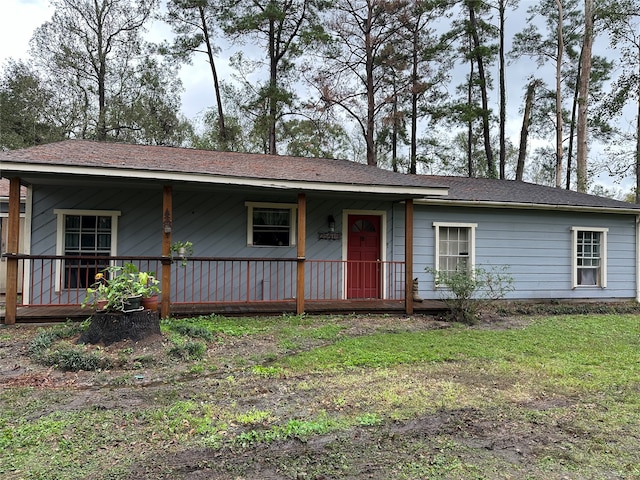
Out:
{"x": 579, "y": 351}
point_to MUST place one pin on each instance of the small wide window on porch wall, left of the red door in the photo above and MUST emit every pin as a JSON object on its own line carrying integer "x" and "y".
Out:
{"x": 271, "y": 224}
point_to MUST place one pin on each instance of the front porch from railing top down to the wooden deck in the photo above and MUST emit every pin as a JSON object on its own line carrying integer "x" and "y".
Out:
{"x": 53, "y": 287}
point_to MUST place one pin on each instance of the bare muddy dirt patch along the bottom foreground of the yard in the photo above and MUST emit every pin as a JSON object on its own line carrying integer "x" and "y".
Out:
{"x": 368, "y": 453}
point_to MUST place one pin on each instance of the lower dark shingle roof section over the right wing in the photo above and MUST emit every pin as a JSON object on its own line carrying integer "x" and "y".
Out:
{"x": 487, "y": 190}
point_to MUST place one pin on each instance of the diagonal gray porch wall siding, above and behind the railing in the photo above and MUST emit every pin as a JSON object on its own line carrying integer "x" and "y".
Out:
{"x": 216, "y": 223}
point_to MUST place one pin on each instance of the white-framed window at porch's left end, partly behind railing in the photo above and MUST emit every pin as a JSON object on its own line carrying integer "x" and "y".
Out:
{"x": 84, "y": 234}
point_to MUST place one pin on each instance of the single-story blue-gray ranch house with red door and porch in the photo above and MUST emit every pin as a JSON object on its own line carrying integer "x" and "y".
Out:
{"x": 278, "y": 233}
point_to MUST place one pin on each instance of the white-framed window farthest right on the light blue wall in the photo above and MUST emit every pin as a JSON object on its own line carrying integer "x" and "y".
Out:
{"x": 589, "y": 257}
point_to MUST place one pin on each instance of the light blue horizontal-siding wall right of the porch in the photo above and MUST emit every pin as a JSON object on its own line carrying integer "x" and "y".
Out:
{"x": 535, "y": 246}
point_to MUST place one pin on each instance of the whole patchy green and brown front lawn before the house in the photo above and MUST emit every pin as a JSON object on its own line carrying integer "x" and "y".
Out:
{"x": 556, "y": 398}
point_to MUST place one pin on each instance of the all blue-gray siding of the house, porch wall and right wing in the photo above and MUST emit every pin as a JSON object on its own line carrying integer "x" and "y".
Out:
{"x": 536, "y": 245}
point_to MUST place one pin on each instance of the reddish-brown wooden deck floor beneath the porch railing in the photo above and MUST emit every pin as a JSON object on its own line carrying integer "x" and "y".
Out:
{"x": 75, "y": 313}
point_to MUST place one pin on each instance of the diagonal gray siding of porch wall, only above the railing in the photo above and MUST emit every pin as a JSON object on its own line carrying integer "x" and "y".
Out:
{"x": 215, "y": 223}
